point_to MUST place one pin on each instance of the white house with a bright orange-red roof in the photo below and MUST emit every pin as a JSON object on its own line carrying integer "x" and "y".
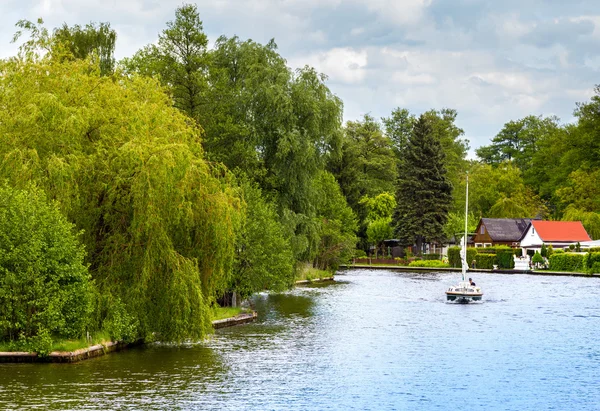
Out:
{"x": 558, "y": 234}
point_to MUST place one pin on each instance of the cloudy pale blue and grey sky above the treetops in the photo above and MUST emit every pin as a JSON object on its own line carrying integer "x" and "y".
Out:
{"x": 492, "y": 61}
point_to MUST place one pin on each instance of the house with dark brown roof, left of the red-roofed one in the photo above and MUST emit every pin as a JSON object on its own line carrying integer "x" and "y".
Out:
{"x": 500, "y": 231}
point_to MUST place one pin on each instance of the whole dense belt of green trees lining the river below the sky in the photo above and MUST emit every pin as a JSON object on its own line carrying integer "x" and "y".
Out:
{"x": 137, "y": 193}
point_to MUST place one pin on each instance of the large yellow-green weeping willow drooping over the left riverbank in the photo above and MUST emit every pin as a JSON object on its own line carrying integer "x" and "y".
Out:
{"x": 127, "y": 169}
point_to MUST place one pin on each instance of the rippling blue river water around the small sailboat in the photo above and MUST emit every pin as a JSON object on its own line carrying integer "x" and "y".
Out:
{"x": 373, "y": 340}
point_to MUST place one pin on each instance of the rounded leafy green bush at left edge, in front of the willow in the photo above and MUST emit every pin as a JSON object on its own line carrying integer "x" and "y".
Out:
{"x": 45, "y": 287}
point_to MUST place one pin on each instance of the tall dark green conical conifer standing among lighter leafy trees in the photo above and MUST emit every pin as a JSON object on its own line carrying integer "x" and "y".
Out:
{"x": 424, "y": 193}
